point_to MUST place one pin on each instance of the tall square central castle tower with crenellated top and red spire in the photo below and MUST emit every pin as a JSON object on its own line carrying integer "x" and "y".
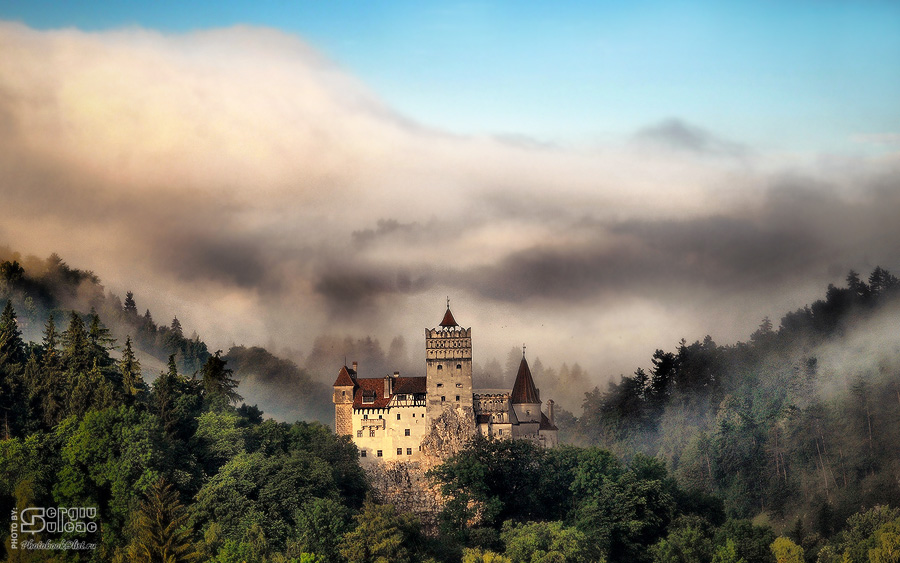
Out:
{"x": 448, "y": 366}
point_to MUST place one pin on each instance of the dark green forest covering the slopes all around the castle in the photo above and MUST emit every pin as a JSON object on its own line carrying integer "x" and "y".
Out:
{"x": 783, "y": 448}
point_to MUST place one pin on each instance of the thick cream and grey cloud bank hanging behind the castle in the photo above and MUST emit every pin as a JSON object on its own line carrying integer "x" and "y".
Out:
{"x": 241, "y": 180}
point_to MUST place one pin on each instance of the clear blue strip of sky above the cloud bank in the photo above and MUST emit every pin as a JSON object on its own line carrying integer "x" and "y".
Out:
{"x": 806, "y": 76}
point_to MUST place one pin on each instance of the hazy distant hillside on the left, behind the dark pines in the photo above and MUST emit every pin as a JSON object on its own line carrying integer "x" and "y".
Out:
{"x": 43, "y": 288}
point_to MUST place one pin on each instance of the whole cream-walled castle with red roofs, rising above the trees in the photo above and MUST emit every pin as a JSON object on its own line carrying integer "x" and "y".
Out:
{"x": 389, "y": 417}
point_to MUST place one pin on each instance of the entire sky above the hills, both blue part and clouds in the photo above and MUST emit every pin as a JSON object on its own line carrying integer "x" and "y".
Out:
{"x": 594, "y": 179}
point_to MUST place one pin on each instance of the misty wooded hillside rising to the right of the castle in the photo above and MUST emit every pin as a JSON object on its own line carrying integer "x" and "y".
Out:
{"x": 801, "y": 421}
